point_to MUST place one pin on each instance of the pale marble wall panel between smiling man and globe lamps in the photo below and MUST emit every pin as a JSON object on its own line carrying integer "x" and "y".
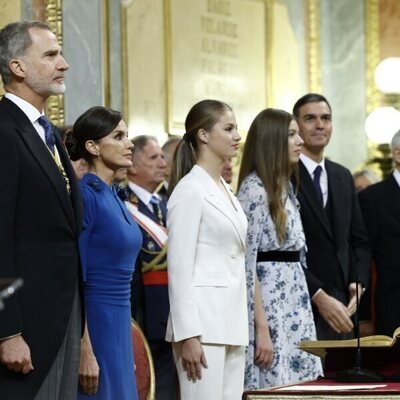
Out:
{"x": 343, "y": 78}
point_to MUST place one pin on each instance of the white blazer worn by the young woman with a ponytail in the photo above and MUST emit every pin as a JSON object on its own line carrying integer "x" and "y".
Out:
{"x": 206, "y": 263}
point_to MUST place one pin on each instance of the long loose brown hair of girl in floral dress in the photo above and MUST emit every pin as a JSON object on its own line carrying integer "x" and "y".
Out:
{"x": 266, "y": 152}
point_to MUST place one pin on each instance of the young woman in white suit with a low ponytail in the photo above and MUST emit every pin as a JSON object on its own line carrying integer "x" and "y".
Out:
{"x": 208, "y": 323}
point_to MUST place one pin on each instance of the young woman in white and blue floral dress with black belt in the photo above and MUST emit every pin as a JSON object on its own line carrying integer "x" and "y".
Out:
{"x": 280, "y": 314}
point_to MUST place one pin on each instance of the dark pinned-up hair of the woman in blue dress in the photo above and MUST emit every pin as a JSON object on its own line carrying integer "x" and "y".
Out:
{"x": 94, "y": 124}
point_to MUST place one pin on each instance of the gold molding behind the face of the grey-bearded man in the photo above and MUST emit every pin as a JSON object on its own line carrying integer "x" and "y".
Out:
{"x": 53, "y": 16}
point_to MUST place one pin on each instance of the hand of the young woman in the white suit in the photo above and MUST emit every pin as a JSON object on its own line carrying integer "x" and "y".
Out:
{"x": 193, "y": 358}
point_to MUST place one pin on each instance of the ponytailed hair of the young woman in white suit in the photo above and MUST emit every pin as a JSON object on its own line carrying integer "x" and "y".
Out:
{"x": 203, "y": 115}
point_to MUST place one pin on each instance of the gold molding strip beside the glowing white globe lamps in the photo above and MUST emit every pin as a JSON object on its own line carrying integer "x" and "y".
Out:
{"x": 372, "y": 54}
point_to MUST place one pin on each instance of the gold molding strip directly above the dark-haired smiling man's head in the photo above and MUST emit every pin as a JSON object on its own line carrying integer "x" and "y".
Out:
{"x": 313, "y": 16}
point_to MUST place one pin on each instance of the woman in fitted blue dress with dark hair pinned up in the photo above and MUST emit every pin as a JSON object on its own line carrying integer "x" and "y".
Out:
{"x": 109, "y": 244}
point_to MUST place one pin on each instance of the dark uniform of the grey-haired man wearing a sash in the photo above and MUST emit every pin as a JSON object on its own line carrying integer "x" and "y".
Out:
{"x": 151, "y": 302}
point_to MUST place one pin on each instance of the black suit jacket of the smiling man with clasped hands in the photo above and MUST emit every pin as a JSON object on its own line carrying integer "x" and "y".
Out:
{"x": 343, "y": 242}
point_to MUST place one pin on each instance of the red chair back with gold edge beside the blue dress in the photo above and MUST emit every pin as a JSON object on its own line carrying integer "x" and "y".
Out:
{"x": 144, "y": 367}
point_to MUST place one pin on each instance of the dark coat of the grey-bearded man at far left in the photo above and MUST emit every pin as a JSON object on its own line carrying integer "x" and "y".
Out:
{"x": 39, "y": 232}
